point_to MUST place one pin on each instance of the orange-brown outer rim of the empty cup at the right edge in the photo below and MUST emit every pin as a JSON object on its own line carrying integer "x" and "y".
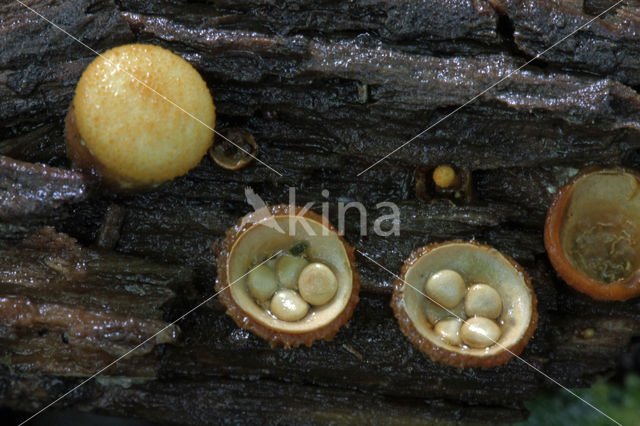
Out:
{"x": 622, "y": 289}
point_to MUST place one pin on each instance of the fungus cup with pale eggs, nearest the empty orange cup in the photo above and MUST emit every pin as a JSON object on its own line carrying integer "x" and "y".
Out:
{"x": 465, "y": 304}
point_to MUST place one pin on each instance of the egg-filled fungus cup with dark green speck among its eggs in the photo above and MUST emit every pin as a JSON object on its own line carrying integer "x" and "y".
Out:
{"x": 286, "y": 275}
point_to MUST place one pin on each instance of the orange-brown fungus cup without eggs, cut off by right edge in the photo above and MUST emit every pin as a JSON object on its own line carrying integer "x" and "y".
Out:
{"x": 592, "y": 233}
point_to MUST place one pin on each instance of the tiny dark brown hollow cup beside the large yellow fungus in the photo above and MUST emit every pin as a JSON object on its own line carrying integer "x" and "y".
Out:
{"x": 234, "y": 148}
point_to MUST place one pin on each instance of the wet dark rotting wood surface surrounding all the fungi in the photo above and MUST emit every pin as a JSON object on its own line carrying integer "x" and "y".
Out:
{"x": 327, "y": 88}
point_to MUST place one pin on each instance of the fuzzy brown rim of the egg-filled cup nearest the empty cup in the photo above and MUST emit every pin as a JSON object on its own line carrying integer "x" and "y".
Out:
{"x": 441, "y": 354}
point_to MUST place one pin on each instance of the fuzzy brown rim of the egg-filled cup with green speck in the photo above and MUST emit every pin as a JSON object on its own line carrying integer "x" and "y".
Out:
{"x": 273, "y": 336}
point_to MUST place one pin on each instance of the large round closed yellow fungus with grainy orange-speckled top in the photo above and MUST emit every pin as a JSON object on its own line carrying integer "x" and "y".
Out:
{"x": 129, "y": 106}
